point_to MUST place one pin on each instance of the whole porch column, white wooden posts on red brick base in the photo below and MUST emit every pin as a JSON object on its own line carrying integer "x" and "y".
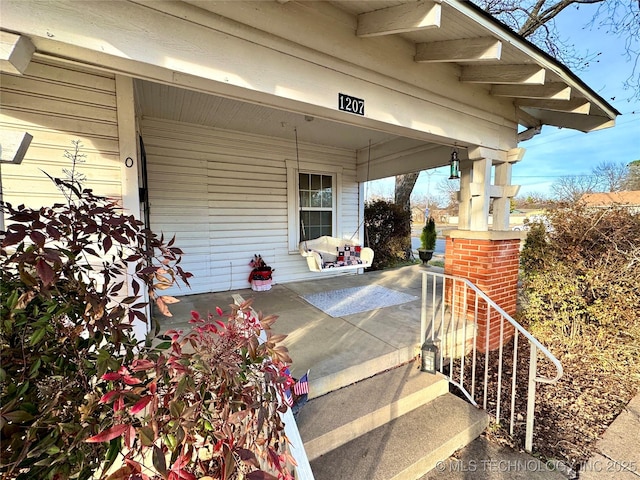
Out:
{"x": 488, "y": 258}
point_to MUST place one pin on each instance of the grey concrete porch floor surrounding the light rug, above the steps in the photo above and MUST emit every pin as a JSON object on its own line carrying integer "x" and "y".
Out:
{"x": 337, "y": 351}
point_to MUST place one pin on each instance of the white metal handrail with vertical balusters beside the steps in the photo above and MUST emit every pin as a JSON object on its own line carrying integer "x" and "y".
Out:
{"x": 458, "y": 283}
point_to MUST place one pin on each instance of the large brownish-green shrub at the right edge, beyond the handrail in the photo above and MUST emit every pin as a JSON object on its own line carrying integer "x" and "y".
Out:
{"x": 581, "y": 280}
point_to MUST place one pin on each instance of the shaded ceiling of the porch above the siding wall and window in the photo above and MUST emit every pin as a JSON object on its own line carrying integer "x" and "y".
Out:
{"x": 379, "y": 154}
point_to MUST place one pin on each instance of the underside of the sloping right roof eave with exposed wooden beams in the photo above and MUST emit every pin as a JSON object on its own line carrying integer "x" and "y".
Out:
{"x": 559, "y": 99}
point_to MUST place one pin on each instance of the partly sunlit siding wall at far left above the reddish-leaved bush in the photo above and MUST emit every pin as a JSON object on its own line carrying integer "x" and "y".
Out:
{"x": 58, "y": 104}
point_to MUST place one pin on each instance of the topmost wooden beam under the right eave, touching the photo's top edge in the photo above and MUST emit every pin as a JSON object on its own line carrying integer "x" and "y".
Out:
{"x": 407, "y": 17}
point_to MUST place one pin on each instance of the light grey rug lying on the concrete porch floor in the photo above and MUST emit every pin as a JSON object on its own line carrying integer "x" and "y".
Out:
{"x": 348, "y": 301}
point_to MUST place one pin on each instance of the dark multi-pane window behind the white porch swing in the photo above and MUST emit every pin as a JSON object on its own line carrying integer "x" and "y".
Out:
{"x": 316, "y": 205}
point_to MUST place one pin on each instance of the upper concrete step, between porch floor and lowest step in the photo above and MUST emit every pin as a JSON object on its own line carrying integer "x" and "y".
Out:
{"x": 327, "y": 422}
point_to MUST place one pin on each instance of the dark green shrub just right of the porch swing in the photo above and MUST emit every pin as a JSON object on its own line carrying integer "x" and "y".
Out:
{"x": 388, "y": 233}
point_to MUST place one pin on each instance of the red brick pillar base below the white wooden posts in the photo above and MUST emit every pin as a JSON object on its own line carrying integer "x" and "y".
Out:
{"x": 490, "y": 260}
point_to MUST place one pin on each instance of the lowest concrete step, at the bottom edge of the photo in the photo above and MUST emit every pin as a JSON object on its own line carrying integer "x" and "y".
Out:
{"x": 405, "y": 448}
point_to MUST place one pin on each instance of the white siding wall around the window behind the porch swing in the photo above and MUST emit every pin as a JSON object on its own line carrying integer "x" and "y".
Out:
{"x": 224, "y": 195}
